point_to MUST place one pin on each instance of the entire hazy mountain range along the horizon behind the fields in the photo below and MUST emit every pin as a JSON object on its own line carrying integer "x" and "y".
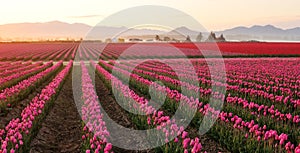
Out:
{"x": 60, "y": 30}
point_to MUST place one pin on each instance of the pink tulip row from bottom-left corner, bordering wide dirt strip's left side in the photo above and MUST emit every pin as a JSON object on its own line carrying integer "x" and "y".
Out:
{"x": 16, "y": 136}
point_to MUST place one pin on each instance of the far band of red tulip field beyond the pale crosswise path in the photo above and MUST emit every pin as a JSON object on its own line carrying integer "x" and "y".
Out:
{"x": 67, "y": 51}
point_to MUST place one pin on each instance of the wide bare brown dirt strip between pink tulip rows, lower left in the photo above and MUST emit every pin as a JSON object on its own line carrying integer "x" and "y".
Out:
{"x": 61, "y": 130}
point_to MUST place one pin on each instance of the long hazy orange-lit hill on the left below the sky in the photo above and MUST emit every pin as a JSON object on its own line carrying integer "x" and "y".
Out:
{"x": 61, "y": 30}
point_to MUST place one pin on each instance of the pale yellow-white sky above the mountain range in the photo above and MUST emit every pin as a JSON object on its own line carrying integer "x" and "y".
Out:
{"x": 212, "y": 14}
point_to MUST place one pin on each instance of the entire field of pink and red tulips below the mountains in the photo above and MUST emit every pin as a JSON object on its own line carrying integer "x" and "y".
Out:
{"x": 260, "y": 113}
